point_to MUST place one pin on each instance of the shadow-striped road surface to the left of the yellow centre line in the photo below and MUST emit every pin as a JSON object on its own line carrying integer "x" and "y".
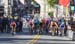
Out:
{"x": 17, "y": 39}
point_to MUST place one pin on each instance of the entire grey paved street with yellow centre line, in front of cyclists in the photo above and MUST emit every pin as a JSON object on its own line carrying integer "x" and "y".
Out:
{"x": 26, "y": 38}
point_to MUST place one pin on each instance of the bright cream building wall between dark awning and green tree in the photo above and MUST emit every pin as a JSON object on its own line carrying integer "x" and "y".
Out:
{"x": 44, "y": 8}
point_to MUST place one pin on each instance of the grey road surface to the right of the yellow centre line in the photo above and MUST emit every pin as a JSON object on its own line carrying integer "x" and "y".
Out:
{"x": 54, "y": 40}
